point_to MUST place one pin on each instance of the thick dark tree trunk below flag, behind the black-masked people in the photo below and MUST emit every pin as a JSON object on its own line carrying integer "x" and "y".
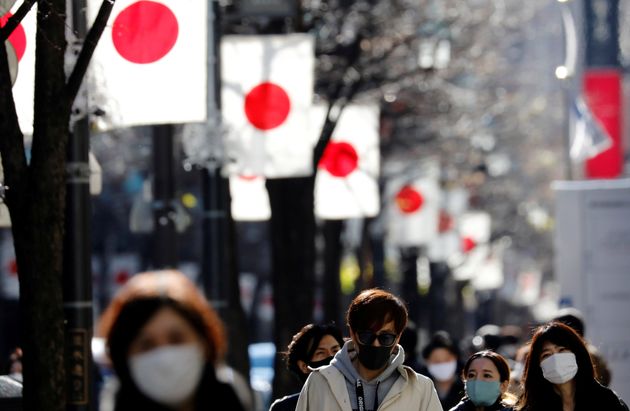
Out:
{"x": 293, "y": 245}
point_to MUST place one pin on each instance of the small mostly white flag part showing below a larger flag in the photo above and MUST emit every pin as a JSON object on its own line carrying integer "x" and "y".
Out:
{"x": 250, "y": 200}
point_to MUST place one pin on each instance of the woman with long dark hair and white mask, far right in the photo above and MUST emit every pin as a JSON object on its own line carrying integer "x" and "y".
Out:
{"x": 559, "y": 375}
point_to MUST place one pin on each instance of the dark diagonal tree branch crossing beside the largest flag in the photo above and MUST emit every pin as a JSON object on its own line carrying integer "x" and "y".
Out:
{"x": 87, "y": 51}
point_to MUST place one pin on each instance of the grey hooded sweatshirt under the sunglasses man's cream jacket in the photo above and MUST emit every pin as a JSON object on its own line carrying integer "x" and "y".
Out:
{"x": 375, "y": 390}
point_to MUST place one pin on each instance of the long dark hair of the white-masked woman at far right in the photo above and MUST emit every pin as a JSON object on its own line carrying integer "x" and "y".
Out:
{"x": 538, "y": 393}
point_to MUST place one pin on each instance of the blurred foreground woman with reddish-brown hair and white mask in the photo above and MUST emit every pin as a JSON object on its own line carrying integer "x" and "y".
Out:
{"x": 164, "y": 341}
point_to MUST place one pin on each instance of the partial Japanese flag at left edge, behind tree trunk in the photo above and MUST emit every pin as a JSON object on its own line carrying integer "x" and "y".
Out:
{"x": 22, "y": 44}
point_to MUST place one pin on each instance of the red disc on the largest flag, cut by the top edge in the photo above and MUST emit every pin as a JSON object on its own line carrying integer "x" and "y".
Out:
{"x": 145, "y": 32}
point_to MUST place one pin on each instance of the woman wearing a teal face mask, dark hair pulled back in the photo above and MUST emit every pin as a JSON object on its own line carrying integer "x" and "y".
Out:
{"x": 487, "y": 377}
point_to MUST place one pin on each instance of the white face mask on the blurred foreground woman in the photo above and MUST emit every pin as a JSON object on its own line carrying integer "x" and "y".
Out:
{"x": 168, "y": 375}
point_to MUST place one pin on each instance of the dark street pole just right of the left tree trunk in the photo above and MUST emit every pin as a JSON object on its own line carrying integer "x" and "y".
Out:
{"x": 77, "y": 272}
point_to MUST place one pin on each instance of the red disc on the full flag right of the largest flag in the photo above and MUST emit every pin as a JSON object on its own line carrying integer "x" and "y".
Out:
{"x": 267, "y": 106}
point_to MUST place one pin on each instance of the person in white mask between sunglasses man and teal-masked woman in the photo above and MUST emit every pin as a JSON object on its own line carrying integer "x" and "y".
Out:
{"x": 442, "y": 364}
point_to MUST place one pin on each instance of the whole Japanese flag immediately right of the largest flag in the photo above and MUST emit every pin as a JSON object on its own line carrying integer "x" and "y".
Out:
{"x": 266, "y": 92}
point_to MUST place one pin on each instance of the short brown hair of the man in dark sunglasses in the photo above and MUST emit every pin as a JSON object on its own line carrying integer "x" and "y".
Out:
{"x": 374, "y": 307}
